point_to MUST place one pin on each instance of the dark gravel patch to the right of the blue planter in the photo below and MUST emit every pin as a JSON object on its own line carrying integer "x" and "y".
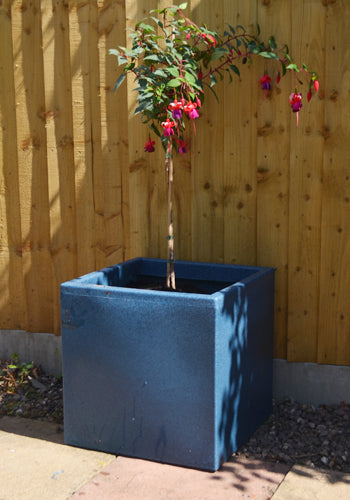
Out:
{"x": 304, "y": 434}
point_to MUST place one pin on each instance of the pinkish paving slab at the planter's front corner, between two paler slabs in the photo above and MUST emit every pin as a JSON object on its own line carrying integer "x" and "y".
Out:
{"x": 132, "y": 479}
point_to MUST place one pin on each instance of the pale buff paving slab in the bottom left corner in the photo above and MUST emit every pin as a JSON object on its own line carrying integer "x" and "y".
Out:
{"x": 34, "y": 463}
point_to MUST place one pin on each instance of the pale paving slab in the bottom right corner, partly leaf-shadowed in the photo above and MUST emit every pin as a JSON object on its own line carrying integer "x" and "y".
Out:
{"x": 305, "y": 483}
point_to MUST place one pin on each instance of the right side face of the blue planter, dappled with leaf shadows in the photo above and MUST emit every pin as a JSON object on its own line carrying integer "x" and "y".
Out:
{"x": 246, "y": 388}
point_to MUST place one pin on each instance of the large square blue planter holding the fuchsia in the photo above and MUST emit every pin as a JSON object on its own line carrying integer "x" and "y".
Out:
{"x": 182, "y": 378}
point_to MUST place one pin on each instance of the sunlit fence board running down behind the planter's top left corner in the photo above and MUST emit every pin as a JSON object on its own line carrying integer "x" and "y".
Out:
{"x": 60, "y": 159}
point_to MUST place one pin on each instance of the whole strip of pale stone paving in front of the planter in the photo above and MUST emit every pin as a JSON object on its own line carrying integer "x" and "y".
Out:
{"x": 36, "y": 465}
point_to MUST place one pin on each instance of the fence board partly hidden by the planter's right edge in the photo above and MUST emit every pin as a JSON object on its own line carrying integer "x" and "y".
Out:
{"x": 273, "y": 169}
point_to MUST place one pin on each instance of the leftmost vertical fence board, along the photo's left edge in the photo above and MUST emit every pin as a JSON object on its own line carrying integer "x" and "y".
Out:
{"x": 12, "y": 301}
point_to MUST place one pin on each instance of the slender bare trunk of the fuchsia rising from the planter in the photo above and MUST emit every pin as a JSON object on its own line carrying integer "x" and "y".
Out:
{"x": 170, "y": 277}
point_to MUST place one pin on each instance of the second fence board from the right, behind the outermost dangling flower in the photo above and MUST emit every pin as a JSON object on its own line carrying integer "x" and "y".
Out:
{"x": 305, "y": 191}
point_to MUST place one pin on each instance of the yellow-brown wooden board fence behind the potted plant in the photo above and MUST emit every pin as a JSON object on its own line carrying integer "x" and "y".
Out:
{"x": 77, "y": 191}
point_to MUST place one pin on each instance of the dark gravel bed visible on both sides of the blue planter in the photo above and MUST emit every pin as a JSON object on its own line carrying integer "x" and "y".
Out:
{"x": 294, "y": 434}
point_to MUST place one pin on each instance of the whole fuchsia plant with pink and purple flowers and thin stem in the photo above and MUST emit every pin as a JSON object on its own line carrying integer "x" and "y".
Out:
{"x": 173, "y": 60}
